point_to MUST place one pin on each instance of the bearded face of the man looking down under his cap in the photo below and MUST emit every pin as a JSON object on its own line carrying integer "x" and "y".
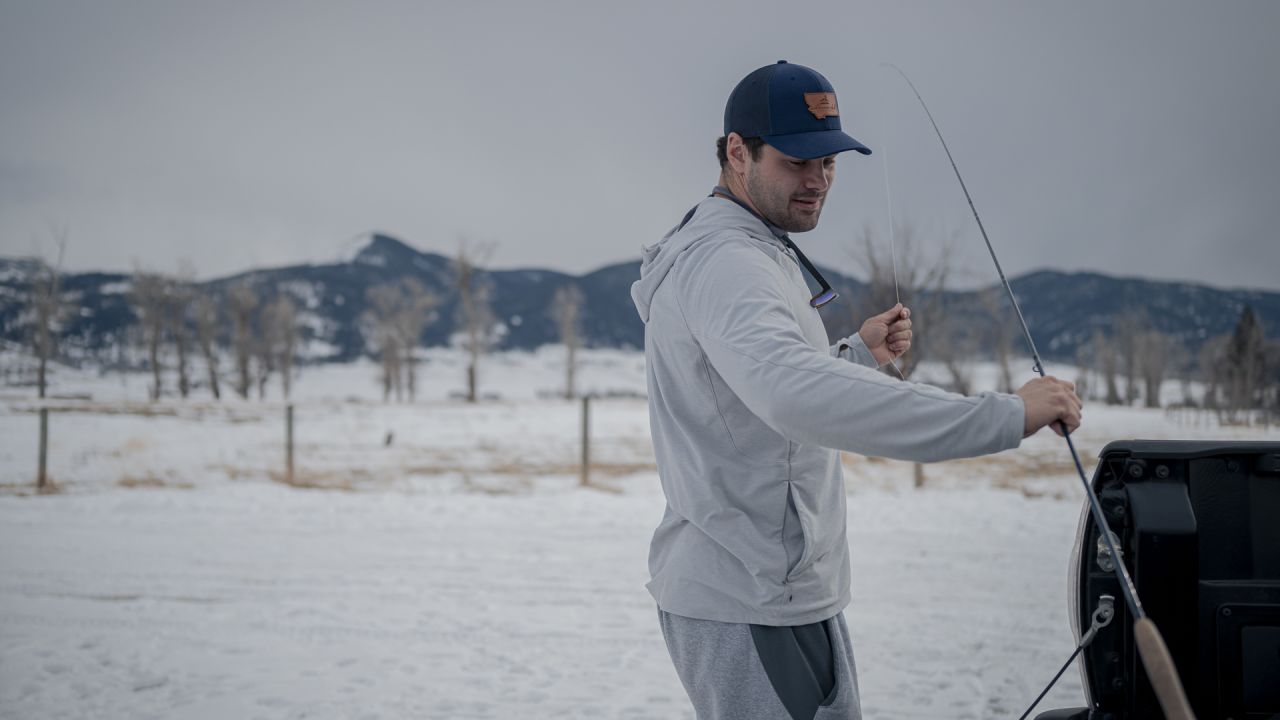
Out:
{"x": 789, "y": 192}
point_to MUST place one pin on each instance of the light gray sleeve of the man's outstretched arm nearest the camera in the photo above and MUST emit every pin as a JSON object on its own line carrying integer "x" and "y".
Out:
{"x": 734, "y": 300}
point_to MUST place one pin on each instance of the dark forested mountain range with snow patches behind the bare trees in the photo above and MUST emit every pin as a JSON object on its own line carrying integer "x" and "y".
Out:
{"x": 1062, "y": 309}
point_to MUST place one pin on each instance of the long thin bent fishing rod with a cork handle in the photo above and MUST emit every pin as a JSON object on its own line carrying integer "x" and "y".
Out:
{"x": 1151, "y": 645}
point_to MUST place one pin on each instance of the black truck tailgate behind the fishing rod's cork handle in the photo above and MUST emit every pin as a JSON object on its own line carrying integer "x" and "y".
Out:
{"x": 1197, "y": 525}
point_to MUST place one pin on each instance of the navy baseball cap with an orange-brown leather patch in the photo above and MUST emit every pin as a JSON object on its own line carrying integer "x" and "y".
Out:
{"x": 793, "y": 108}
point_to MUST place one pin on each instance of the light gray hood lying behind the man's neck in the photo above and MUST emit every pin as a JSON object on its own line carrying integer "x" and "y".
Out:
{"x": 711, "y": 217}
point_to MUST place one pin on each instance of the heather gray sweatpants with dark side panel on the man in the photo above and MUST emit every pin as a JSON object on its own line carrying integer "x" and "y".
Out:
{"x": 737, "y": 672}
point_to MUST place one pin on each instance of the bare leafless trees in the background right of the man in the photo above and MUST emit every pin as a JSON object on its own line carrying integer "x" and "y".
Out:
{"x": 1232, "y": 375}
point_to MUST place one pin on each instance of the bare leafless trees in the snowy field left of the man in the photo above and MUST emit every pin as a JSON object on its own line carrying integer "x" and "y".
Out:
{"x": 191, "y": 332}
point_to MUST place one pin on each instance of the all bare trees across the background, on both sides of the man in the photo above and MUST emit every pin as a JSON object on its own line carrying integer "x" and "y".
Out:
{"x": 255, "y": 330}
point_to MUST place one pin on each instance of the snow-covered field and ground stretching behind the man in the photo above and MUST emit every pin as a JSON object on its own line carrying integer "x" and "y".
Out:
{"x": 441, "y": 560}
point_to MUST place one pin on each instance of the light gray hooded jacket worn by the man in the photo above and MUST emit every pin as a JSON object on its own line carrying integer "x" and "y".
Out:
{"x": 748, "y": 405}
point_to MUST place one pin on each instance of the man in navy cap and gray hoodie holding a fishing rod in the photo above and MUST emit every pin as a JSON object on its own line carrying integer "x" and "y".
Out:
{"x": 749, "y": 407}
